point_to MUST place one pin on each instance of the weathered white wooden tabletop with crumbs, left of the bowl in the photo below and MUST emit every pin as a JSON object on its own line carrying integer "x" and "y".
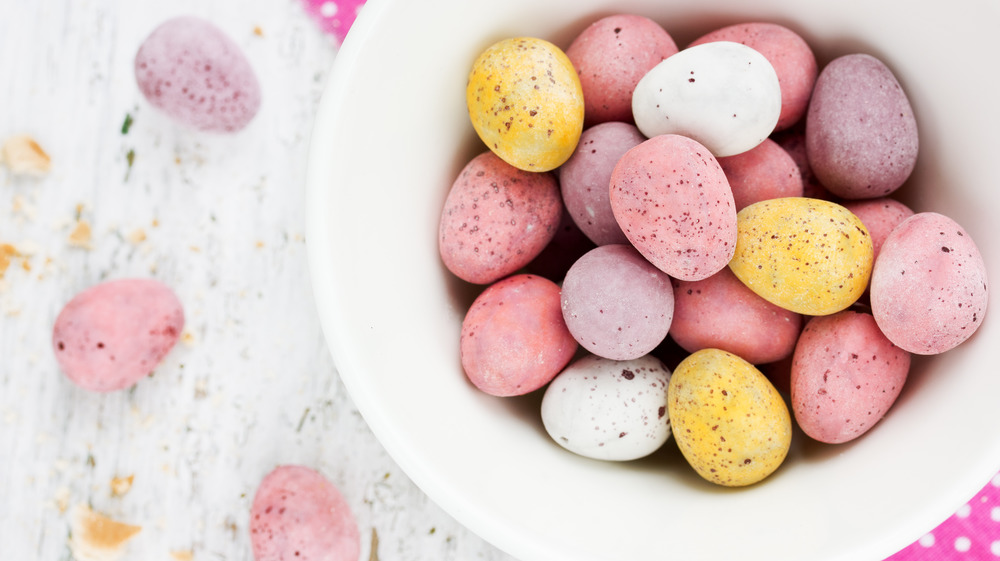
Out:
{"x": 220, "y": 220}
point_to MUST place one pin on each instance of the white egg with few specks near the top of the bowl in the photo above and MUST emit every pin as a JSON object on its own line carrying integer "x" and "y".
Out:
{"x": 723, "y": 94}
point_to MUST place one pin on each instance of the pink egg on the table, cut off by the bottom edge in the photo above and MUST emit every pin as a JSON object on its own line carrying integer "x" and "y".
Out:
{"x": 298, "y": 514}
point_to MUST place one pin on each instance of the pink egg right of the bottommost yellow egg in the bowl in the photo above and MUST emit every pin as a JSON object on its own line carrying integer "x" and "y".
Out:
{"x": 845, "y": 376}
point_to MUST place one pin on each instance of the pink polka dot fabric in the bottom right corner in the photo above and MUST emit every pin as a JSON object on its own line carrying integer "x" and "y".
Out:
{"x": 971, "y": 534}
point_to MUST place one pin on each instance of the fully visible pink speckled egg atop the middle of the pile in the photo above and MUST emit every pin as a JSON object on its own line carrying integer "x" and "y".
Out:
{"x": 674, "y": 204}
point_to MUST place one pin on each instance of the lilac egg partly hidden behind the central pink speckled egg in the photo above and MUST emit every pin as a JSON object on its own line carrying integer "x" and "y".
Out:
{"x": 585, "y": 179}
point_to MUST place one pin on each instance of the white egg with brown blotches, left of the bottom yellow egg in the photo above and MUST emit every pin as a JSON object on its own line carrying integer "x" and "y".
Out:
{"x": 609, "y": 409}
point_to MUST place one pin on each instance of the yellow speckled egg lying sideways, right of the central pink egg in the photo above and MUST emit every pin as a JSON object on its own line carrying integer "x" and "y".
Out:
{"x": 806, "y": 255}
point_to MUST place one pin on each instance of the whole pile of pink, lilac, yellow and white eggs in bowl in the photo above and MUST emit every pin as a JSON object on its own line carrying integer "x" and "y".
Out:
{"x": 730, "y": 199}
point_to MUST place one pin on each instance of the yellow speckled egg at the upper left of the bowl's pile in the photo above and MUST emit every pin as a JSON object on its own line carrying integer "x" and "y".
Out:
{"x": 526, "y": 103}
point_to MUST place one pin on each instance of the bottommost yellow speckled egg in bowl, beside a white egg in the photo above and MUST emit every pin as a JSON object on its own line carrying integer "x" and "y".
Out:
{"x": 730, "y": 423}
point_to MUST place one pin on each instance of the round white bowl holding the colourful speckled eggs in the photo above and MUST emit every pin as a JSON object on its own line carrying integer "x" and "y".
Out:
{"x": 392, "y": 134}
